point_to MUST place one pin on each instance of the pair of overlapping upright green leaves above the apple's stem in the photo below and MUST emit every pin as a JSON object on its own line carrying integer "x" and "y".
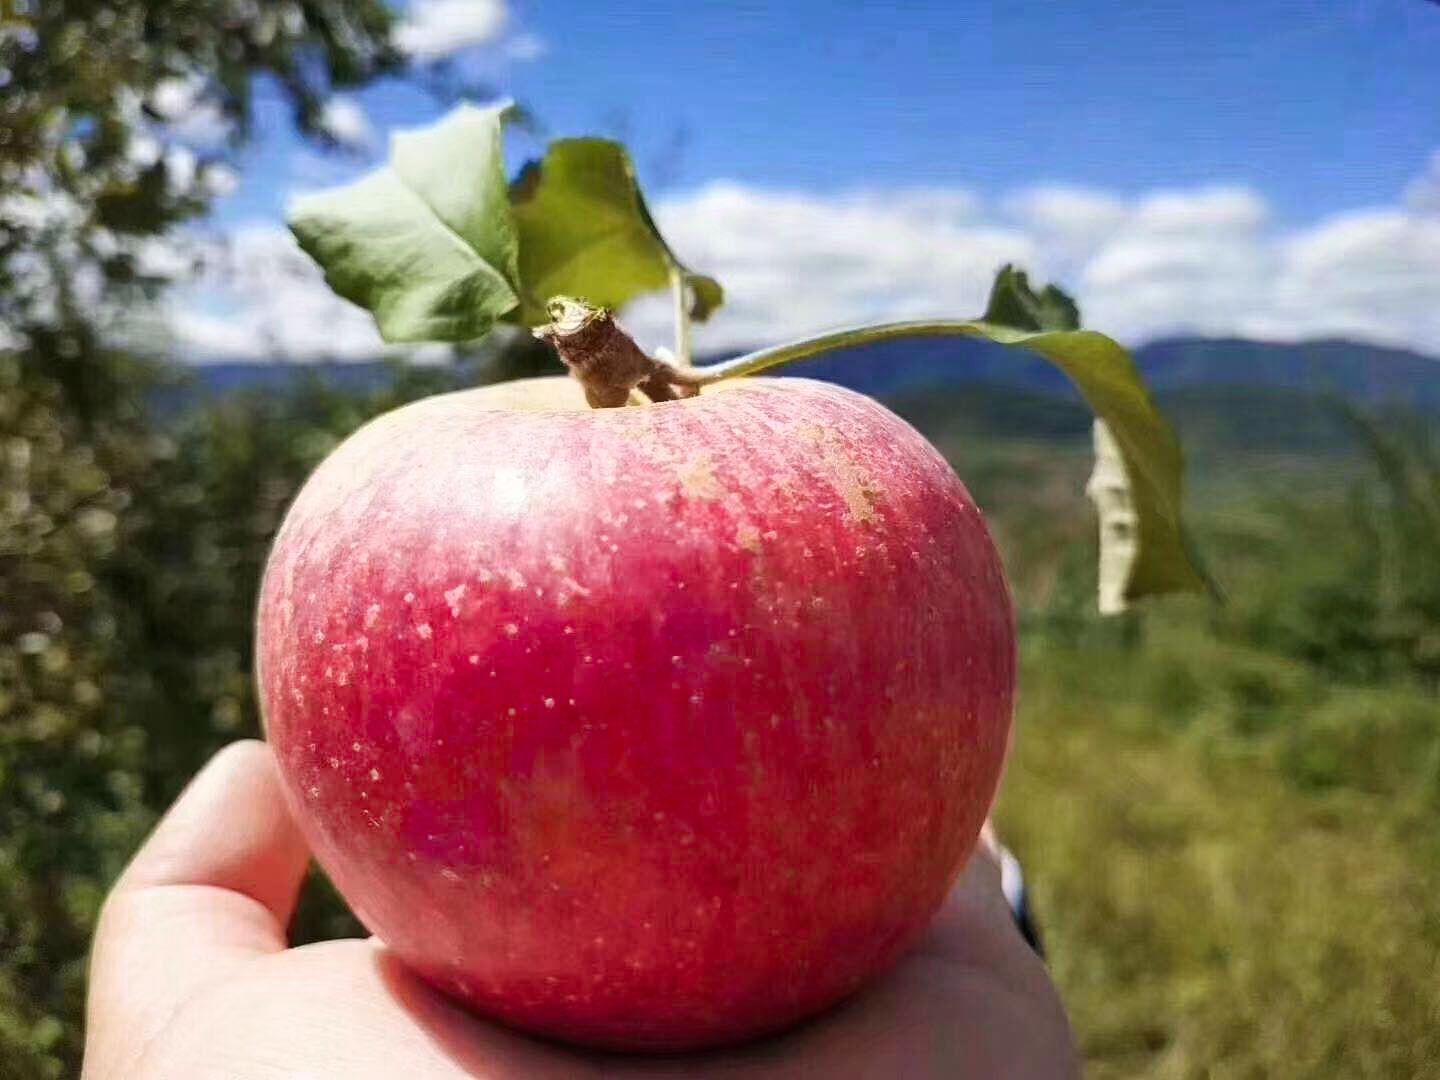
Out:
{"x": 438, "y": 248}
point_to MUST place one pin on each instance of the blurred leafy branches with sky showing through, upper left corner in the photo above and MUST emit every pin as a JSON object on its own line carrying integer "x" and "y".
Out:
{"x": 89, "y": 161}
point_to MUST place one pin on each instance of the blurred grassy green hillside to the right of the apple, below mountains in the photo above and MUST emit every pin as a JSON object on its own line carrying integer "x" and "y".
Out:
{"x": 1228, "y": 813}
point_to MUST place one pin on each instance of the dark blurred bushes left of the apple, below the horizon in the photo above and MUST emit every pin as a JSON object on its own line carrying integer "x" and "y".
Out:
{"x": 126, "y": 653}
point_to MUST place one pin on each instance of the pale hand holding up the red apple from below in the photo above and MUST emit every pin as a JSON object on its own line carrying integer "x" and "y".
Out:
{"x": 194, "y": 978}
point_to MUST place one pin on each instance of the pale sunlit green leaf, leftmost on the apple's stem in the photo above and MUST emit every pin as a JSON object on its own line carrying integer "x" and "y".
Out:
{"x": 427, "y": 244}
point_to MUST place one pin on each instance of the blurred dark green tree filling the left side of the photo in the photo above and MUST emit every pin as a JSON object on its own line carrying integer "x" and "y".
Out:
{"x": 97, "y": 531}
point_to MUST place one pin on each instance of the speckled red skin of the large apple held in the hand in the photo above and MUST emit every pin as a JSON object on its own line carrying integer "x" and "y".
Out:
{"x": 650, "y": 728}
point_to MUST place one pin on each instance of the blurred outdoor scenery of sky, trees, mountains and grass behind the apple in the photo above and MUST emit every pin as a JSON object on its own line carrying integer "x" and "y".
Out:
{"x": 1226, "y": 811}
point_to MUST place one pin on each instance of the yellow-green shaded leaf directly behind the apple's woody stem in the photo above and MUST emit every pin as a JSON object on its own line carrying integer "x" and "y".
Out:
{"x": 585, "y": 231}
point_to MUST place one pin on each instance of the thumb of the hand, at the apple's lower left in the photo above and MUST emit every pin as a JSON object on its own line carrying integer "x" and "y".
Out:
{"x": 214, "y": 885}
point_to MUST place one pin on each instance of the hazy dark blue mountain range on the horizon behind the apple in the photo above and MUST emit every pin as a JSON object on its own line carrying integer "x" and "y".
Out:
{"x": 1225, "y": 392}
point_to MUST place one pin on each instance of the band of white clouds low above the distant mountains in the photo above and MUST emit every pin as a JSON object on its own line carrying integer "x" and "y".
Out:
{"x": 1196, "y": 261}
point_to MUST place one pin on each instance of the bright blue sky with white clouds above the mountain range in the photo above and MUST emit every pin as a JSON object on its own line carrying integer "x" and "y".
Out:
{"x": 1305, "y": 130}
